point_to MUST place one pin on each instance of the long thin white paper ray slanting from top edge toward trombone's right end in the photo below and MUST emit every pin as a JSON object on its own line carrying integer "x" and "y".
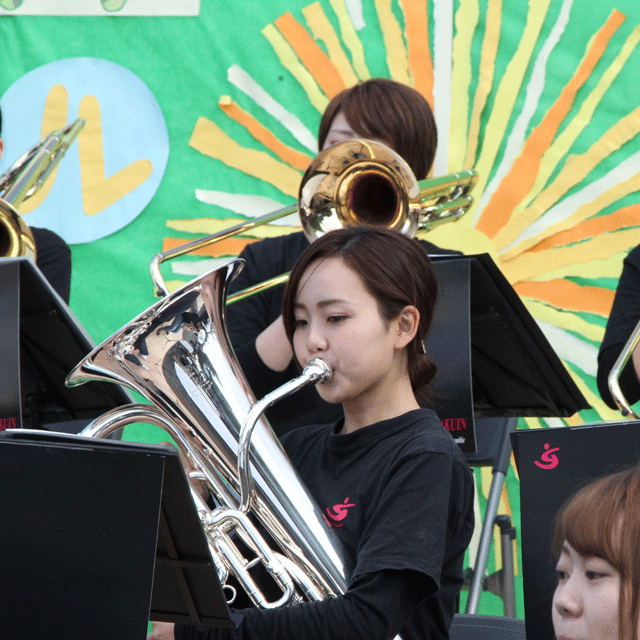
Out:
{"x": 535, "y": 87}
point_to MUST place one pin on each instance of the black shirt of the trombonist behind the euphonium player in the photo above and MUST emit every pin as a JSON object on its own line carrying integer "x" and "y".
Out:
{"x": 245, "y": 321}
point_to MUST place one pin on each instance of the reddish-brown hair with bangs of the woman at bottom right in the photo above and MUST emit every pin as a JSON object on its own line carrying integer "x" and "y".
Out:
{"x": 603, "y": 520}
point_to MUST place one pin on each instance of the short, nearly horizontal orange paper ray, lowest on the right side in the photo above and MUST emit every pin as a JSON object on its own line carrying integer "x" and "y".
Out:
{"x": 568, "y": 295}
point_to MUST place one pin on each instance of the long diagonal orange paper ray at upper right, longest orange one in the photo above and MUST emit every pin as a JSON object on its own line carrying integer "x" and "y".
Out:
{"x": 521, "y": 178}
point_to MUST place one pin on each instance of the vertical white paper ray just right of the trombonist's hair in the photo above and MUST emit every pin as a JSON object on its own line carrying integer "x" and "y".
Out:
{"x": 442, "y": 78}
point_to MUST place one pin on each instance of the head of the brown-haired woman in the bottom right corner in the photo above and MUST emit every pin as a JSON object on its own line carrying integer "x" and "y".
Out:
{"x": 596, "y": 538}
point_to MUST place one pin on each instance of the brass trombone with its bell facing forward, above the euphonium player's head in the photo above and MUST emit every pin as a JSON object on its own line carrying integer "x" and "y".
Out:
{"x": 349, "y": 183}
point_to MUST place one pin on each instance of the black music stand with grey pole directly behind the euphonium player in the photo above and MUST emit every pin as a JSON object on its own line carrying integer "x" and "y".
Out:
{"x": 493, "y": 361}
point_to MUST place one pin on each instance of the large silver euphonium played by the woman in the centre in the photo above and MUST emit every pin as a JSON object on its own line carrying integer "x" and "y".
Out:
{"x": 178, "y": 356}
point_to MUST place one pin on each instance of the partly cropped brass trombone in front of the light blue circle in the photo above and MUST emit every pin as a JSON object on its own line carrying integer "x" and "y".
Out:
{"x": 21, "y": 180}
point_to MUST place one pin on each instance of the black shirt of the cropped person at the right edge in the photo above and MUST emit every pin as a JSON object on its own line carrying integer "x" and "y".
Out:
{"x": 625, "y": 314}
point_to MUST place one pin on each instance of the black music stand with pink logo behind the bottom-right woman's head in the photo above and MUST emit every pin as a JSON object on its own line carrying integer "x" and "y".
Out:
{"x": 552, "y": 465}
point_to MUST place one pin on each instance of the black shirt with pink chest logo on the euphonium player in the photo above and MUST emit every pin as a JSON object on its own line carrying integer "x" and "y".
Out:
{"x": 399, "y": 495}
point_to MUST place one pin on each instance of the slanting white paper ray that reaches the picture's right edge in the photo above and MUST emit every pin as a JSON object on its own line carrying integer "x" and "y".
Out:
{"x": 625, "y": 170}
